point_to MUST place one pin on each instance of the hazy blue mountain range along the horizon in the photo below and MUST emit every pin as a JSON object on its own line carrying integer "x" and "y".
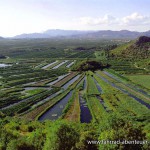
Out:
{"x": 103, "y": 34}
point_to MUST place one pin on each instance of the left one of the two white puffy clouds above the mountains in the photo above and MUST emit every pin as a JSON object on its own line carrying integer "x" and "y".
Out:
{"x": 107, "y": 19}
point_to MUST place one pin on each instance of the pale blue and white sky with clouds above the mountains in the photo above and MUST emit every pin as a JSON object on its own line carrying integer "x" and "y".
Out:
{"x": 30, "y": 16}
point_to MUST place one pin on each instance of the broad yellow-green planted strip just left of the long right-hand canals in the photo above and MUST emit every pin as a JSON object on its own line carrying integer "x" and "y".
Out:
{"x": 120, "y": 102}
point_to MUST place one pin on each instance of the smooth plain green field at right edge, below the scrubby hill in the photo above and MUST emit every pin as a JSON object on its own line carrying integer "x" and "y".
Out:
{"x": 143, "y": 80}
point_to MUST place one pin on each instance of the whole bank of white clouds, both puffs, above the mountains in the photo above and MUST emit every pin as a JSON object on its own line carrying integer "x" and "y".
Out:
{"x": 134, "y": 19}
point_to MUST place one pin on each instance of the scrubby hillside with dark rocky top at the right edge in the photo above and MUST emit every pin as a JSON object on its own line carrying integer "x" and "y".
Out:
{"x": 138, "y": 49}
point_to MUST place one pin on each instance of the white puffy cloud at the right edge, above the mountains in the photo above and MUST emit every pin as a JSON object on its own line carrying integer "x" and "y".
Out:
{"x": 136, "y": 19}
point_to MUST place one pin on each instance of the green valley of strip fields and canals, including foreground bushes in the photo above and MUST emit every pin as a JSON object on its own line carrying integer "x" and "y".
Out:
{"x": 79, "y": 87}
